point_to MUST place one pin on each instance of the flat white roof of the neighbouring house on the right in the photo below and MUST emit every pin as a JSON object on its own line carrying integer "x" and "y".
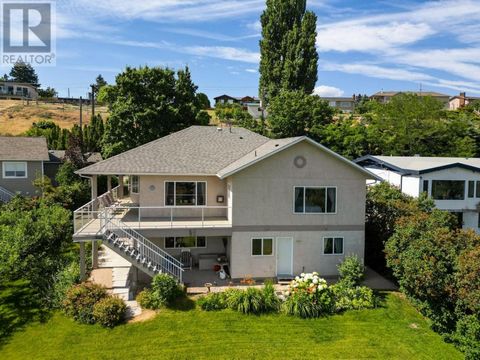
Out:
{"x": 418, "y": 164}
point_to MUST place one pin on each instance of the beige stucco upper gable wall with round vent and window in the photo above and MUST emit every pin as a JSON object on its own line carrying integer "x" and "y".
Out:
{"x": 263, "y": 194}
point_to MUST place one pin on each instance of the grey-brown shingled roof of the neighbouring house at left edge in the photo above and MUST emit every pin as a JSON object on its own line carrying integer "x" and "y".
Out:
{"x": 23, "y": 148}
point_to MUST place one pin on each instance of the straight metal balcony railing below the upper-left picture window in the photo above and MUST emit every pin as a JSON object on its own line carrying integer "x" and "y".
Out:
{"x": 175, "y": 217}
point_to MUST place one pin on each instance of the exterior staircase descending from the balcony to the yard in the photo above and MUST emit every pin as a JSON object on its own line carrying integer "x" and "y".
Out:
{"x": 138, "y": 250}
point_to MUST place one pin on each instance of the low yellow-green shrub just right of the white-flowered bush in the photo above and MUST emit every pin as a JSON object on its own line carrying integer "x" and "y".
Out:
{"x": 353, "y": 298}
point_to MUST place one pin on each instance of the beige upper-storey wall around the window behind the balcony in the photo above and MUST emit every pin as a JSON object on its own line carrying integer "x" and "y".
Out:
{"x": 156, "y": 197}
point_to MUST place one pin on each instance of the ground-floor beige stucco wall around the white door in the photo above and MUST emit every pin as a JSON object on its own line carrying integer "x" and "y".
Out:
{"x": 307, "y": 252}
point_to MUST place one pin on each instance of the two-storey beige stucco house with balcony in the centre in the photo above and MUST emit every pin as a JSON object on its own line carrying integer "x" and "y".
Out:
{"x": 231, "y": 198}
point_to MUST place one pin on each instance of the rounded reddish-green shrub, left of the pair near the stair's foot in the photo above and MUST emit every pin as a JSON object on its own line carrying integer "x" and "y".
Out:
{"x": 81, "y": 299}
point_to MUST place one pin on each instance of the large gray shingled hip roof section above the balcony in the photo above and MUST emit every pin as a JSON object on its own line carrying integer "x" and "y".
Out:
{"x": 197, "y": 150}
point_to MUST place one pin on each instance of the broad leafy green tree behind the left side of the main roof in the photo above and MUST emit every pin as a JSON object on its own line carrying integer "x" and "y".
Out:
{"x": 145, "y": 104}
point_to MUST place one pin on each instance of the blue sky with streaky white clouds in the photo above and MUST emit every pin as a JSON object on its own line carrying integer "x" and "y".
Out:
{"x": 364, "y": 46}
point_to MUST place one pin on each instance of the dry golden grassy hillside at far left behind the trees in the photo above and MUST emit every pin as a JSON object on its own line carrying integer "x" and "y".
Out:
{"x": 16, "y": 116}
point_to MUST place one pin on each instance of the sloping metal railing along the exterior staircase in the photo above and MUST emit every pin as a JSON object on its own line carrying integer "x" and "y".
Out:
{"x": 145, "y": 247}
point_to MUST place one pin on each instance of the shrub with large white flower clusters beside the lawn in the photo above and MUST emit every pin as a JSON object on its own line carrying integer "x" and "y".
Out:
{"x": 309, "y": 296}
